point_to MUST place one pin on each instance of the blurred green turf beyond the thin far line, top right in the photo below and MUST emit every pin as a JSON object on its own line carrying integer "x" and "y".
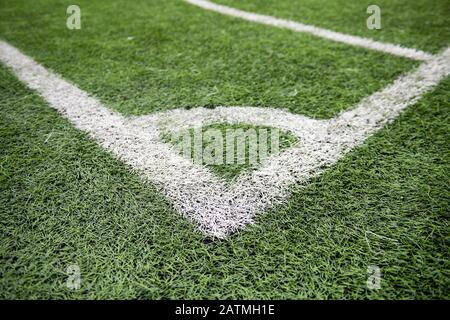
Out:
{"x": 420, "y": 24}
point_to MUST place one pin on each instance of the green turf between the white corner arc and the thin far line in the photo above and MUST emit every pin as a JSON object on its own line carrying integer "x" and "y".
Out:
{"x": 184, "y": 56}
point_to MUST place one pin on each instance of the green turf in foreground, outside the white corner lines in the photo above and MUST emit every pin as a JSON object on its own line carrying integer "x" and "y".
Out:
{"x": 66, "y": 201}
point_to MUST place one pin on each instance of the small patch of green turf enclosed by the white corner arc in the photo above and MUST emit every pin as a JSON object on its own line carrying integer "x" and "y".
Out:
{"x": 229, "y": 171}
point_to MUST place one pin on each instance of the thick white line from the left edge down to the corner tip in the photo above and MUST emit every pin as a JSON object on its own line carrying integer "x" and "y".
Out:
{"x": 186, "y": 184}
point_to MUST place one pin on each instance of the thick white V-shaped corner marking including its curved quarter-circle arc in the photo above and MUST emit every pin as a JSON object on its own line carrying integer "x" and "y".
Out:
{"x": 215, "y": 206}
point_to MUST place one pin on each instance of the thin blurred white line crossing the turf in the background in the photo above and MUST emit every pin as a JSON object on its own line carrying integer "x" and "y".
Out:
{"x": 319, "y": 32}
